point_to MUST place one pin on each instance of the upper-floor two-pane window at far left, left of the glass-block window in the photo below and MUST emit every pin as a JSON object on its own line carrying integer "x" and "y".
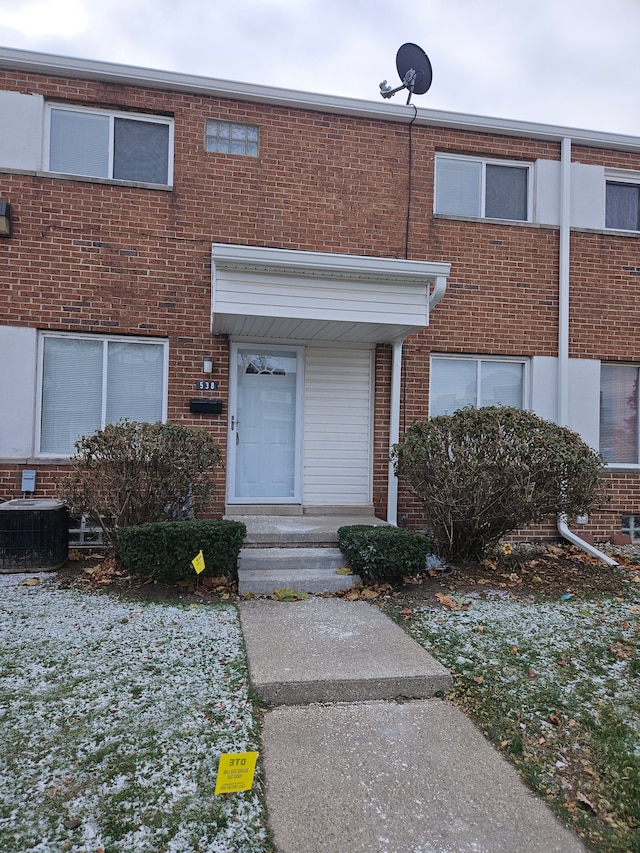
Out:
{"x": 116, "y": 146}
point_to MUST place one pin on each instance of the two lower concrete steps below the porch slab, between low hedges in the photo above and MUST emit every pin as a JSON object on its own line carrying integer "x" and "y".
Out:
{"x": 262, "y": 571}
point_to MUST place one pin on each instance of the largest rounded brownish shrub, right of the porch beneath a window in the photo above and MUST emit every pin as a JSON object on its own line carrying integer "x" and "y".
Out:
{"x": 481, "y": 473}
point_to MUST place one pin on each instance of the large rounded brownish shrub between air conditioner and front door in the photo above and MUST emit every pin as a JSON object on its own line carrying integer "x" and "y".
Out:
{"x": 135, "y": 473}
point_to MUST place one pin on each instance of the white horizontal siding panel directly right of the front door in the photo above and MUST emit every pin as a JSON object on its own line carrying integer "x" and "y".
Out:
{"x": 337, "y": 426}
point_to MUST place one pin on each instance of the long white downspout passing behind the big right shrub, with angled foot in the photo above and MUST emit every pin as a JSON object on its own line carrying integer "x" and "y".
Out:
{"x": 563, "y": 332}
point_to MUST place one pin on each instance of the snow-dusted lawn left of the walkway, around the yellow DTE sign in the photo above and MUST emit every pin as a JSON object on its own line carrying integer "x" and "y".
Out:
{"x": 113, "y": 716}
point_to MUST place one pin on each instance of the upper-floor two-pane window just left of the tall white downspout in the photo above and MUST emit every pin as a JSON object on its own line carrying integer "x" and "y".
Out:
{"x": 469, "y": 186}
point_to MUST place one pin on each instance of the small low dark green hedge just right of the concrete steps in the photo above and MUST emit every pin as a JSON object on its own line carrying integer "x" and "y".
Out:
{"x": 383, "y": 553}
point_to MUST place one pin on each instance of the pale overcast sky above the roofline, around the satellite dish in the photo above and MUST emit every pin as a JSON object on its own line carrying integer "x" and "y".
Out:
{"x": 566, "y": 62}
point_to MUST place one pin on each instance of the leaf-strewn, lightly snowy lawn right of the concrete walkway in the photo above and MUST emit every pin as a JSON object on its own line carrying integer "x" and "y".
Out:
{"x": 554, "y": 684}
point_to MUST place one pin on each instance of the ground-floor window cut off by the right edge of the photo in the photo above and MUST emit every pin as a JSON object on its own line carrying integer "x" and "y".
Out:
{"x": 619, "y": 413}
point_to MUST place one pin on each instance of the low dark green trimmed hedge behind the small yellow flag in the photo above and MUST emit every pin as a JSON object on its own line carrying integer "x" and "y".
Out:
{"x": 165, "y": 550}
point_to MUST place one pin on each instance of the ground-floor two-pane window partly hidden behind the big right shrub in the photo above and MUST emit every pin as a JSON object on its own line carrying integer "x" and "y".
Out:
{"x": 459, "y": 381}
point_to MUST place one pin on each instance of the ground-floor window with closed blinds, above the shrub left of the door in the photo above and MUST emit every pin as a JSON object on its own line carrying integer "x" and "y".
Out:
{"x": 88, "y": 381}
